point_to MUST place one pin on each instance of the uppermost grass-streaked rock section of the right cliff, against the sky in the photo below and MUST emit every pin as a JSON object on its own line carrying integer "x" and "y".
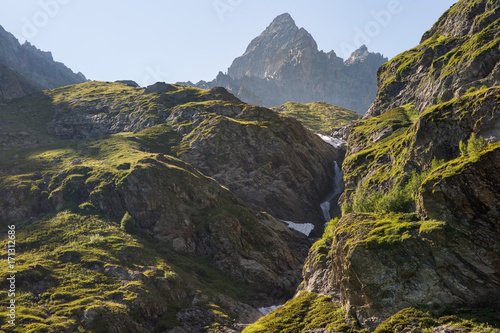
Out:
{"x": 458, "y": 53}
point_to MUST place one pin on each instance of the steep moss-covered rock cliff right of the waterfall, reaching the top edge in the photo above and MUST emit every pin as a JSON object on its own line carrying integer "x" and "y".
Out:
{"x": 420, "y": 223}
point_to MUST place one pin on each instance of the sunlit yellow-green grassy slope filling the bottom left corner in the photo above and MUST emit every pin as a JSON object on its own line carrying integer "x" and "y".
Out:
{"x": 71, "y": 265}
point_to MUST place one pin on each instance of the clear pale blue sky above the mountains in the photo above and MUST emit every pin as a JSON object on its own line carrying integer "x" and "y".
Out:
{"x": 165, "y": 40}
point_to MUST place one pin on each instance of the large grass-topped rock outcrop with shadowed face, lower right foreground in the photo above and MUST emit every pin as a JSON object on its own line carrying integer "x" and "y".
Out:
{"x": 375, "y": 272}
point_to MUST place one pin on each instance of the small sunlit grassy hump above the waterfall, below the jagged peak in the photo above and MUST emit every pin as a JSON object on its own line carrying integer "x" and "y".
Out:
{"x": 319, "y": 116}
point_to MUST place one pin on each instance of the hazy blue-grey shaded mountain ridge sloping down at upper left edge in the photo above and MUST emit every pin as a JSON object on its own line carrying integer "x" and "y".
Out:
{"x": 37, "y": 67}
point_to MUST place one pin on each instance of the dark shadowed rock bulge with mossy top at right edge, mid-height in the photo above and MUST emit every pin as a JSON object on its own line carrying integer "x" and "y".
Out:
{"x": 466, "y": 190}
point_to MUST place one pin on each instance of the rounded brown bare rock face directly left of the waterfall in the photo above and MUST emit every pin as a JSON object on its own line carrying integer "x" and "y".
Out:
{"x": 261, "y": 166}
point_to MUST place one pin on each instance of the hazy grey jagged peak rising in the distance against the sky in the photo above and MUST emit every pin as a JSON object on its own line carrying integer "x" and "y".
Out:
{"x": 284, "y": 64}
